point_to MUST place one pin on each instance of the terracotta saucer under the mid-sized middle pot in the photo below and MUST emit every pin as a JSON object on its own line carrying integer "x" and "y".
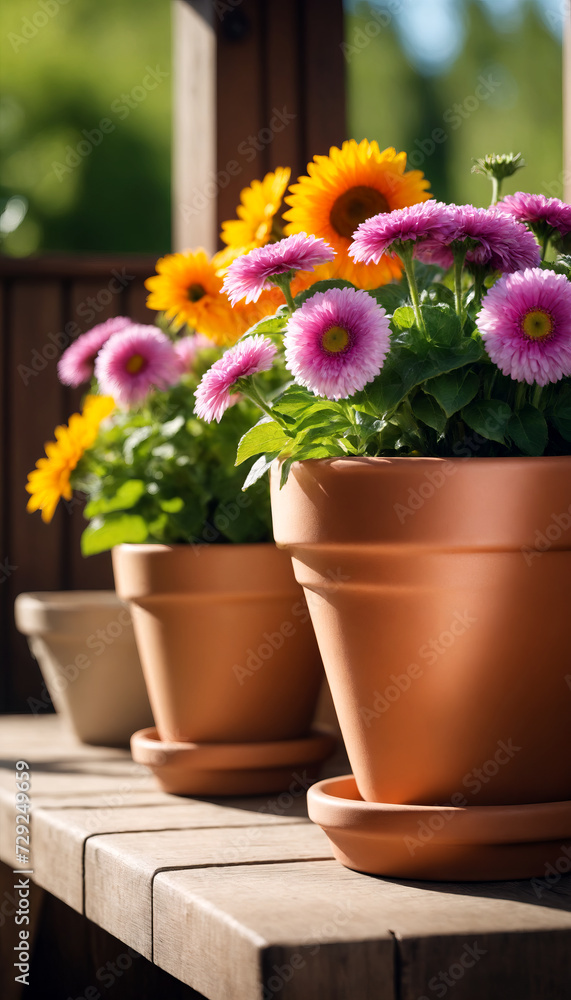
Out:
{"x": 230, "y": 768}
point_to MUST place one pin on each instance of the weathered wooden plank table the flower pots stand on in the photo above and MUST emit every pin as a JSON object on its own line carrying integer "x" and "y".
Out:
{"x": 242, "y": 900}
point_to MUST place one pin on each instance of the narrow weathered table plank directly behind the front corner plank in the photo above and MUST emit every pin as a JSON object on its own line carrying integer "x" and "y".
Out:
{"x": 120, "y": 868}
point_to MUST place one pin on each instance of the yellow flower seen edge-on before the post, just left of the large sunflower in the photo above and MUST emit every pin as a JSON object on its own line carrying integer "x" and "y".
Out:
{"x": 259, "y": 204}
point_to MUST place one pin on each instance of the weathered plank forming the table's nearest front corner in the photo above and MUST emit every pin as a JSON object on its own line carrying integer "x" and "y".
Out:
{"x": 293, "y": 930}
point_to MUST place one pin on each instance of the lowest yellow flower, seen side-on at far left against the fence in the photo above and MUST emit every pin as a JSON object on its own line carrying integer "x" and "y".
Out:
{"x": 50, "y": 480}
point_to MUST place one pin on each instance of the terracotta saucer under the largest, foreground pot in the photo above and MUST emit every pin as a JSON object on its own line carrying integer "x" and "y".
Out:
{"x": 442, "y": 842}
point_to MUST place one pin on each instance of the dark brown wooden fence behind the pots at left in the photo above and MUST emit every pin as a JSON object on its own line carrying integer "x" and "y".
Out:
{"x": 46, "y": 303}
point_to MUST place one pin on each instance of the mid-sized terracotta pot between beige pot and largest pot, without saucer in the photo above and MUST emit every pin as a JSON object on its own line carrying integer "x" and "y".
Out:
{"x": 226, "y": 644}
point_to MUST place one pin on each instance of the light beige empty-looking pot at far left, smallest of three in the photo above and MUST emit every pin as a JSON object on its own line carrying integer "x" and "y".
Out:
{"x": 83, "y": 642}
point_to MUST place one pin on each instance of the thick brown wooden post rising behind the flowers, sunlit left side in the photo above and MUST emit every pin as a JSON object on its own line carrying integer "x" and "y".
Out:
{"x": 258, "y": 84}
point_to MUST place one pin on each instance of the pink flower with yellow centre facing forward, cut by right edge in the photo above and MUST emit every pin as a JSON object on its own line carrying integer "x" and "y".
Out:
{"x": 525, "y": 323}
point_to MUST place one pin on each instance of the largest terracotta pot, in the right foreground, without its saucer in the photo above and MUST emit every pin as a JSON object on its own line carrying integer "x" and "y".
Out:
{"x": 440, "y": 594}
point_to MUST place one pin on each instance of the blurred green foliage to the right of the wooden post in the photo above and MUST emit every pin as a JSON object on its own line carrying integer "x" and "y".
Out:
{"x": 502, "y": 93}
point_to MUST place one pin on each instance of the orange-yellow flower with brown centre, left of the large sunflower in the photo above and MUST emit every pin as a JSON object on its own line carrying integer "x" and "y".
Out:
{"x": 188, "y": 289}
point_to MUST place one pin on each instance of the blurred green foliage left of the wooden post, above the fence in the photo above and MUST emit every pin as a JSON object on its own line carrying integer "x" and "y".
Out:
{"x": 66, "y": 67}
